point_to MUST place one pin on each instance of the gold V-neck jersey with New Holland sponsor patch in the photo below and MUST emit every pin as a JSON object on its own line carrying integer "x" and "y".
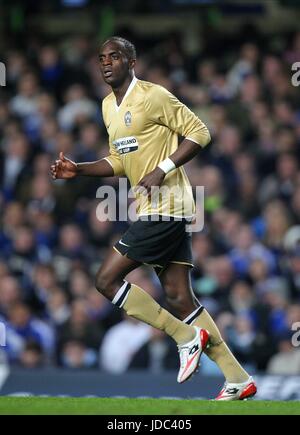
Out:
{"x": 143, "y": 131}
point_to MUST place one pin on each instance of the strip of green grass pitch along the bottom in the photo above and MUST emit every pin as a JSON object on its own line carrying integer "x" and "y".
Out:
{"x": 99, "y": 406}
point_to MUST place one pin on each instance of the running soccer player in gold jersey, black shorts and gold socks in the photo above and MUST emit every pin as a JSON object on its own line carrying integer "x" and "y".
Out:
{"x": 143, "y": 121}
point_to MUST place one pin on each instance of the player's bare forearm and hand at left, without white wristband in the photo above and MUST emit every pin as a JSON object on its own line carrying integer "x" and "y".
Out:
{"x": 66, "y": 168}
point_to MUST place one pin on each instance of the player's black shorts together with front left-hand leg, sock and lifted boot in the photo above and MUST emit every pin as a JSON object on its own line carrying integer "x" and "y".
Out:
{"x": 150, "y": 242}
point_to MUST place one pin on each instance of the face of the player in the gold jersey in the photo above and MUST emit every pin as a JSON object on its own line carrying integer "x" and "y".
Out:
{"x": 114, "y": 64}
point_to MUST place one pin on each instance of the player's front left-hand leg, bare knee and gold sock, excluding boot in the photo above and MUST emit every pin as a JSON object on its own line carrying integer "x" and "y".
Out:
{"x": 134, "y": 300}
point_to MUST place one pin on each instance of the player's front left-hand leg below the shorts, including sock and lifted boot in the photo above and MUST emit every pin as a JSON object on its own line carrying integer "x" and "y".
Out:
{"x": 191, "y": 340}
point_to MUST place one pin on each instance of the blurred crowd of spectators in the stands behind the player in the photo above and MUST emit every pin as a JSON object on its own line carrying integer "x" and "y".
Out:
{"x": 247, "y": 258}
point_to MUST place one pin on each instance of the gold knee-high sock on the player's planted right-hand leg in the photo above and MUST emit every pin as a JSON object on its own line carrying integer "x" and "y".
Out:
{"x": 218, "y": 350}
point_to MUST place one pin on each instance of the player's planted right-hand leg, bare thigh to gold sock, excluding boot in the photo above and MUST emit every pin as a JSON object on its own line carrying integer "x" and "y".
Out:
{"x": 175, "y": 279}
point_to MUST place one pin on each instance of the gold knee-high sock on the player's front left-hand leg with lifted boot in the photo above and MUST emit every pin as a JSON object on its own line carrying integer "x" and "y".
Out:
{"x": 140, "y": 305}
